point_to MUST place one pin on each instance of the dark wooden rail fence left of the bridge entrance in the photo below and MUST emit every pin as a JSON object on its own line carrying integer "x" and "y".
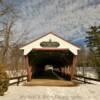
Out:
{"x": 18, "y": 80}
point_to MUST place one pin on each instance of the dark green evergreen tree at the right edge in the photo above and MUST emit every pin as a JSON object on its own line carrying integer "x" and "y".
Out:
{"x": 93, "y": 42}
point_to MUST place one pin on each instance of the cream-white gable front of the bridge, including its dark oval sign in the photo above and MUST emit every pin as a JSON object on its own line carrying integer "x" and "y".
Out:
{"x": 50, "y": 41}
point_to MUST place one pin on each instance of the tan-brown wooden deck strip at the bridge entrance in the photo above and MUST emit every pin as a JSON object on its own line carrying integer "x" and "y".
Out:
{"x": 50, "y": 82}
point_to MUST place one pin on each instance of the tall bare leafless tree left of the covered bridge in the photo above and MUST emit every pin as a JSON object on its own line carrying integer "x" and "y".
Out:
{"x": 9, "y": 52}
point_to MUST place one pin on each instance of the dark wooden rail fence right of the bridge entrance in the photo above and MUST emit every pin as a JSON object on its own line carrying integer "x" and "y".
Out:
{"x": 86, "y": 79}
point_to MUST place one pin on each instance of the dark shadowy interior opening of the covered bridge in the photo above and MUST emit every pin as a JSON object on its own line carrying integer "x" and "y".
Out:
{"x": 60, "y": 60}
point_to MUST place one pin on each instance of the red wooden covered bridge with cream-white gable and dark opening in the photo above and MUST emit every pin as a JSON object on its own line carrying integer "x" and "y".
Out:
{"x": 51, "y": 50}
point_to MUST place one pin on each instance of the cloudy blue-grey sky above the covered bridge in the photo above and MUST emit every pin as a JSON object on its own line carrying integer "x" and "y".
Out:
{"x": 68, "y": 18}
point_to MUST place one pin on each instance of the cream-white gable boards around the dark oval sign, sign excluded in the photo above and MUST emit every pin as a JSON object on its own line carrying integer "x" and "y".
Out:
{"x": 64, "y": 44}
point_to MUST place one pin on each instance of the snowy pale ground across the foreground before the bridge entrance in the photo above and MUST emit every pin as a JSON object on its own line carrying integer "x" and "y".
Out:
{"x": 81, "y": 92}
